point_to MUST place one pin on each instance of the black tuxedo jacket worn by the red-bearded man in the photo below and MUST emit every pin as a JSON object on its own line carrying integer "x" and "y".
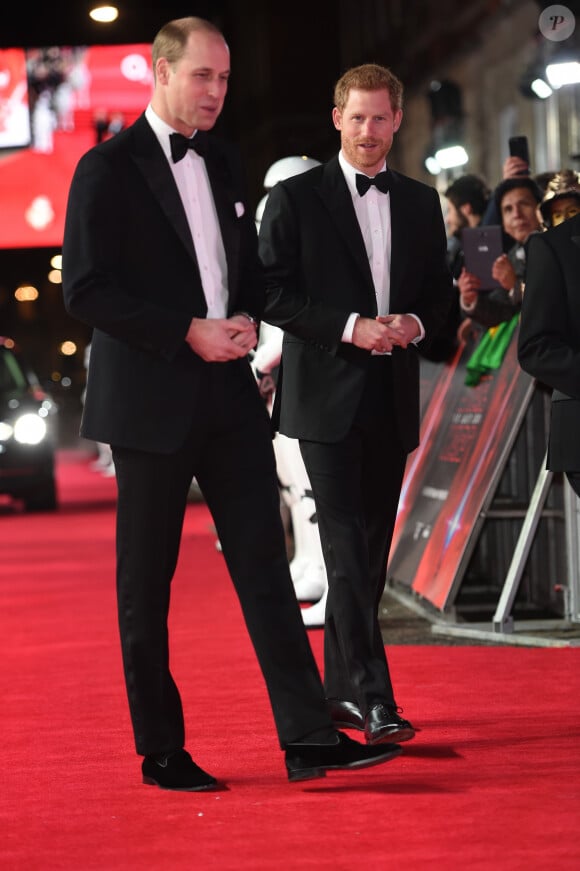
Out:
{"x": 318, "y": 273}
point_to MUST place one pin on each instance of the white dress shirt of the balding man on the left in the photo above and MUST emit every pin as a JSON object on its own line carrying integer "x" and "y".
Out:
{"x": 192, "y": 182}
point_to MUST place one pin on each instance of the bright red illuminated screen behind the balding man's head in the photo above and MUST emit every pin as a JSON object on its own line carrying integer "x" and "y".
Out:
{"x": 68, "y": 90}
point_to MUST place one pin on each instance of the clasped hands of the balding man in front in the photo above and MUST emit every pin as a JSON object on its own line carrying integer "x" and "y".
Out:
{"x": 217, "y": 340}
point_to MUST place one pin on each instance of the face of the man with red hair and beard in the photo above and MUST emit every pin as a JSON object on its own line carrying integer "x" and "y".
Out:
{"x": 367, "y": 125}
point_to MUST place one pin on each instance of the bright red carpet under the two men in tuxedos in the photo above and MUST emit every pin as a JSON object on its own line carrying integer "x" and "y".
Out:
{"x": 492, "y": 781}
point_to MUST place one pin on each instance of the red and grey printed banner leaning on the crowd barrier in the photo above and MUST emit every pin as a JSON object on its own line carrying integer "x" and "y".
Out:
{"x": 466, "y": 436}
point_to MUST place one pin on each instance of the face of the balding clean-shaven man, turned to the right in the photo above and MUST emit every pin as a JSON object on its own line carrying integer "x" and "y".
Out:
{"x": 189, "y": 95}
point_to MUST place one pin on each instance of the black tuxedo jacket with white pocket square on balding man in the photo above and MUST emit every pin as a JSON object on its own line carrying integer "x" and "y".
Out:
{"x": 130, "y": 272}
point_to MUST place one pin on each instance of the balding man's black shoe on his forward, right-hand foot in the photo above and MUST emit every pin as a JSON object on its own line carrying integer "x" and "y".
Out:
{"x": 308, "y": 761}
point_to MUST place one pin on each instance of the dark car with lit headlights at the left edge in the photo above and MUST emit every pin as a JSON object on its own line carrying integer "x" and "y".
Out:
{"x": 27, "y": 434}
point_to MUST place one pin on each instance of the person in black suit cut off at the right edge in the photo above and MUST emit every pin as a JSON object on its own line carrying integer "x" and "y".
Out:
{"x": 549, "y": 337}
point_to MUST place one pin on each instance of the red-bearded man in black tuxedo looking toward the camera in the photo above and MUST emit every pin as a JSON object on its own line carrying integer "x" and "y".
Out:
{"x": 355, "y": 258}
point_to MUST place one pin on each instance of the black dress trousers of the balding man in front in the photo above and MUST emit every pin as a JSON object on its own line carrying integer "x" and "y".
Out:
{"x": 229, "y": 452}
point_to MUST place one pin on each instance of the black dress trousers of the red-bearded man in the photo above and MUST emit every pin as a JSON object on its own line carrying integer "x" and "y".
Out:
{"x": 356, "y": 484}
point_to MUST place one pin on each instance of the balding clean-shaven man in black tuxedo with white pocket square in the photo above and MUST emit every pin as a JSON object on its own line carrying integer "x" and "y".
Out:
{"x": 160, "y": 258}
